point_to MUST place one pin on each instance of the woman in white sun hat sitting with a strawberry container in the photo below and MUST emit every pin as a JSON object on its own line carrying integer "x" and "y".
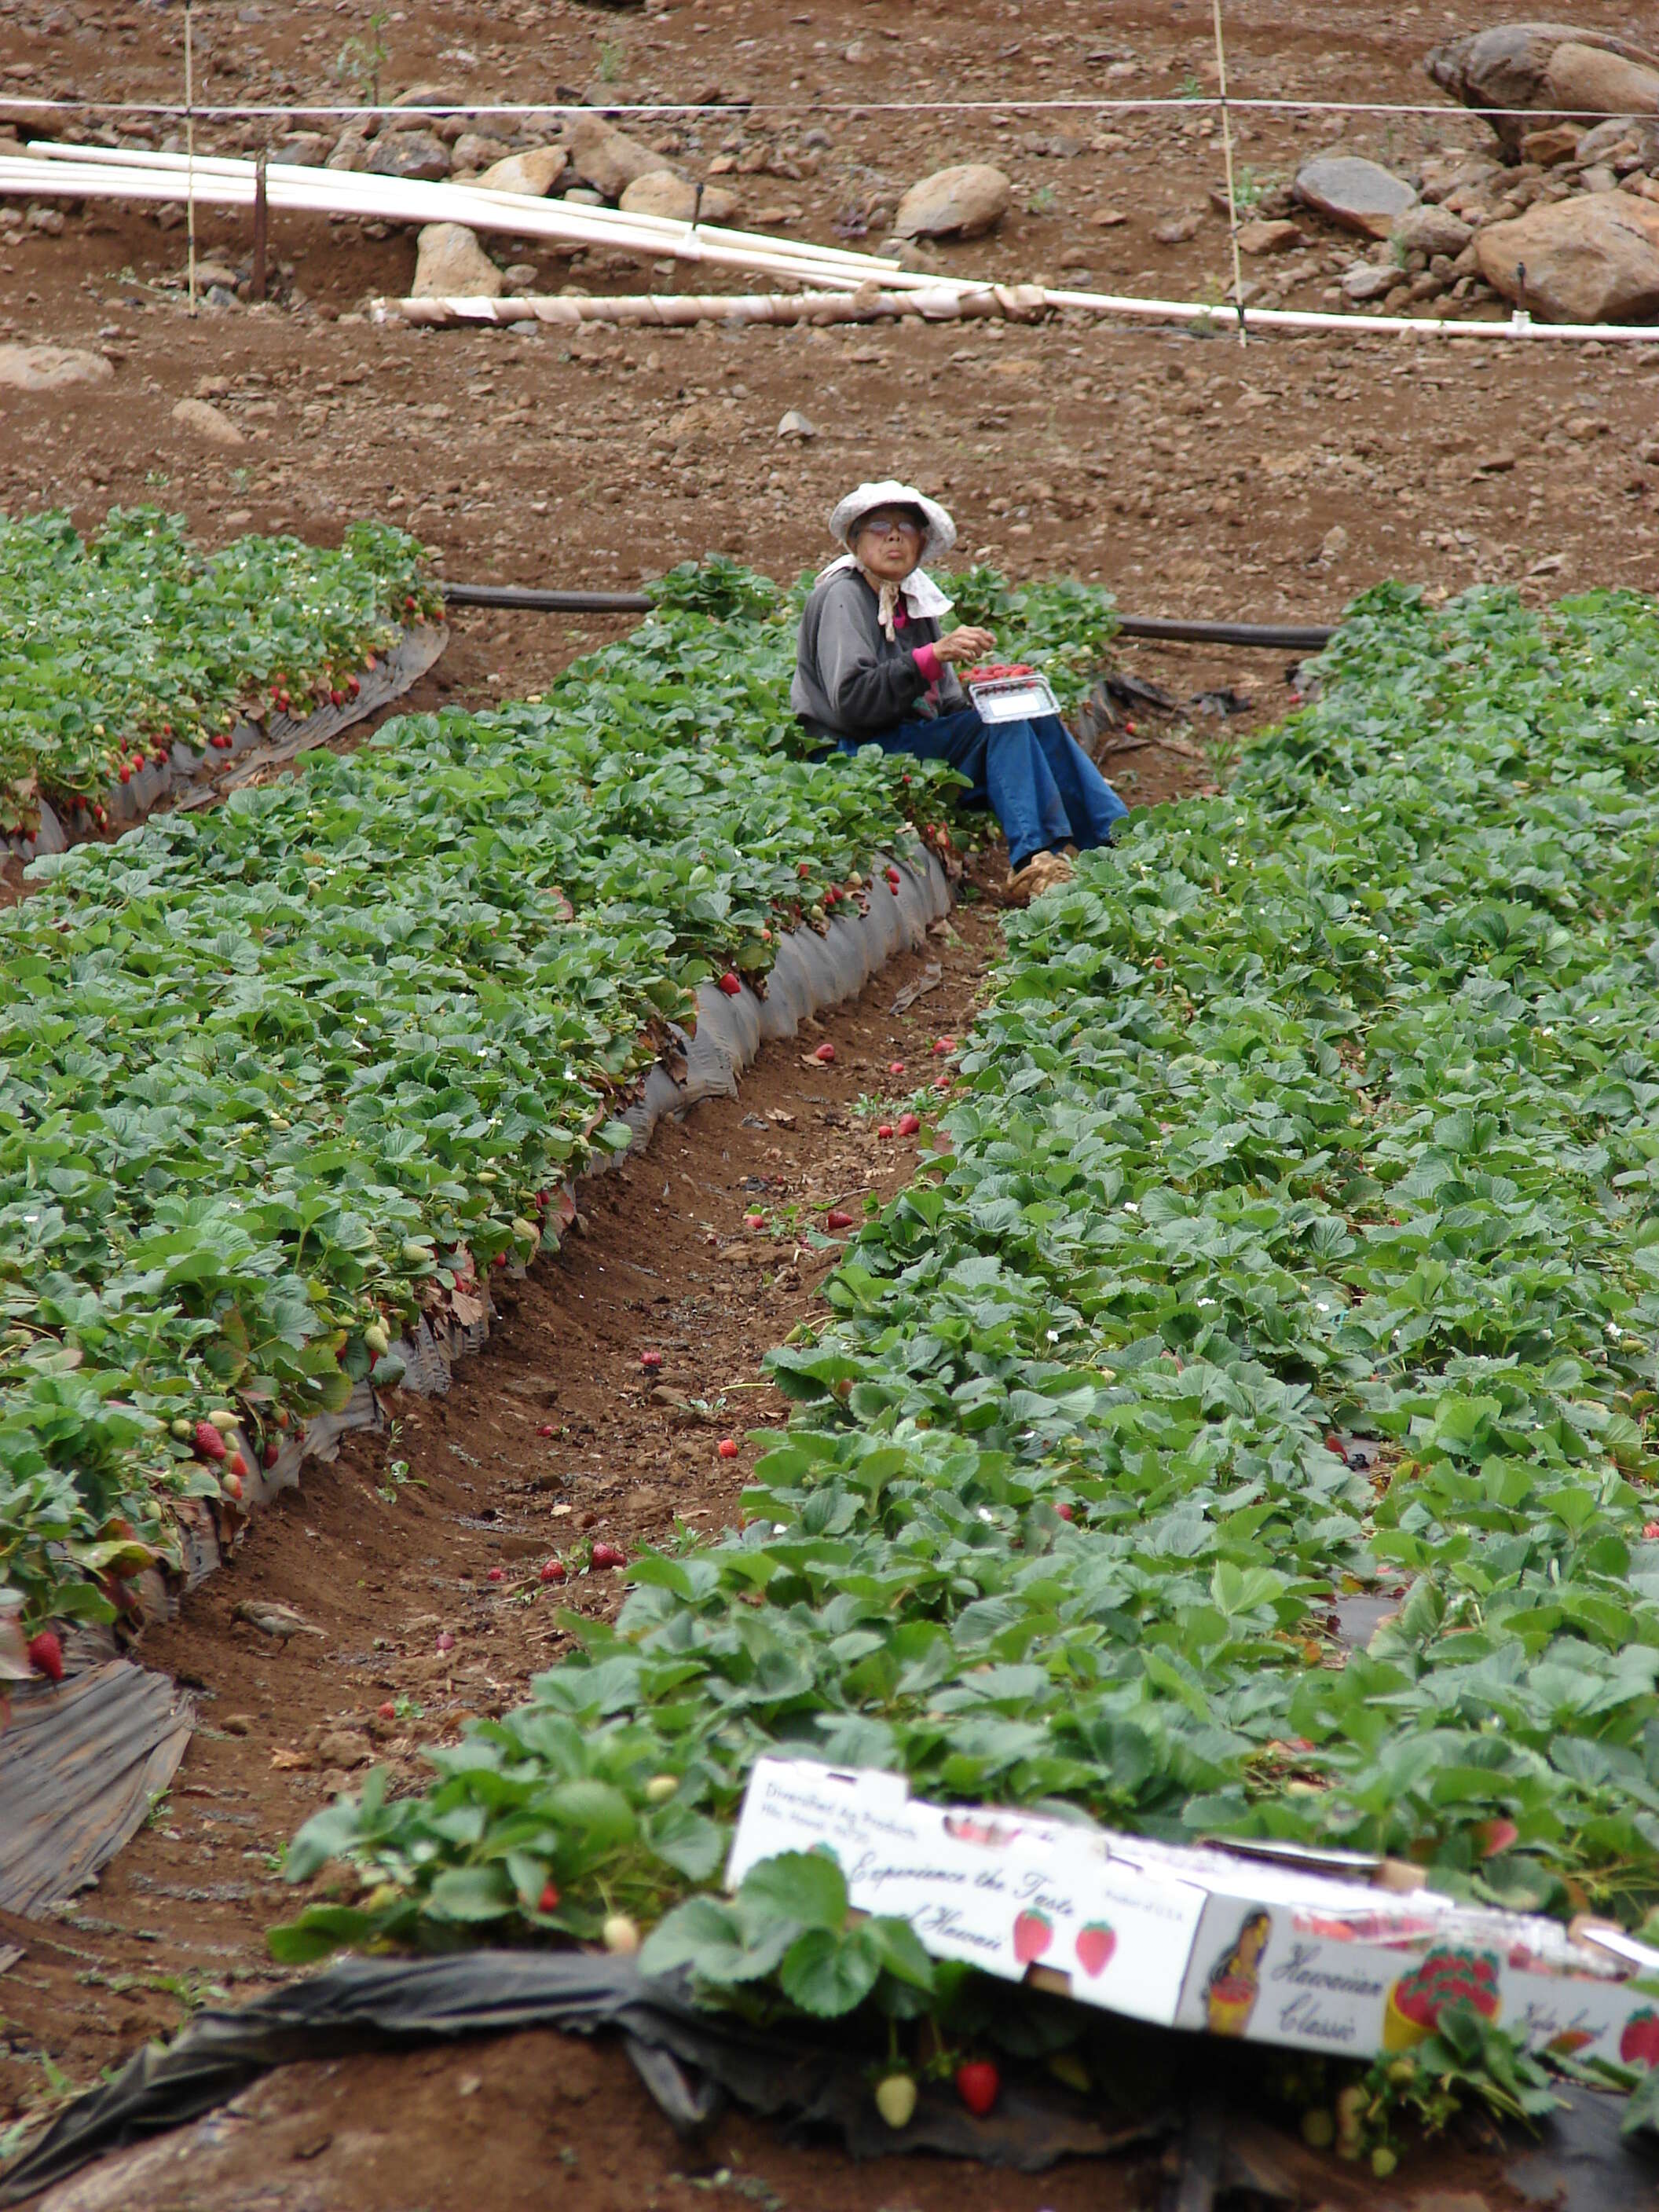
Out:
{"x": 877, "y": 669}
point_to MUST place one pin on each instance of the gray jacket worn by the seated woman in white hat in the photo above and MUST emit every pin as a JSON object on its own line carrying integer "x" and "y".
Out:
{"x": 848, "y": 680}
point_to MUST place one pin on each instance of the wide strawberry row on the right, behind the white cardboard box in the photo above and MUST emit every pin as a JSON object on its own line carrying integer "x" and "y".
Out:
{"x": 1313, "y": 1114}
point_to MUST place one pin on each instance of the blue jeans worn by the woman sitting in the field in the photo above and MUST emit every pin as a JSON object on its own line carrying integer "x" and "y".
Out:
{"x": 1034, "y": 775}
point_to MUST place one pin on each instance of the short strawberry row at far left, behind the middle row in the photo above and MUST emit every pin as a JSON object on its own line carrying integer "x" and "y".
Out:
{"x": 123, "y": 647}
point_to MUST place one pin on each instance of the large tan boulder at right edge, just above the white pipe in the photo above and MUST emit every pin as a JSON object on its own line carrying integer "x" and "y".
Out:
{"x": 1587, "y": 260}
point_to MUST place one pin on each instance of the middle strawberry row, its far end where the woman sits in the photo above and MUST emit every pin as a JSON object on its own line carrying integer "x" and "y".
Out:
{"x": 284, "y": 1076}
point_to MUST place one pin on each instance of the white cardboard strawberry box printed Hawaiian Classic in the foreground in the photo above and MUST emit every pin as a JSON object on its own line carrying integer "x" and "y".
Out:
{"x": 1313, "y": 1950}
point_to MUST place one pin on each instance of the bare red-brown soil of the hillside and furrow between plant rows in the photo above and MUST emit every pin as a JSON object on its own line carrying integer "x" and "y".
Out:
{"x": 1191, "y": 477}
